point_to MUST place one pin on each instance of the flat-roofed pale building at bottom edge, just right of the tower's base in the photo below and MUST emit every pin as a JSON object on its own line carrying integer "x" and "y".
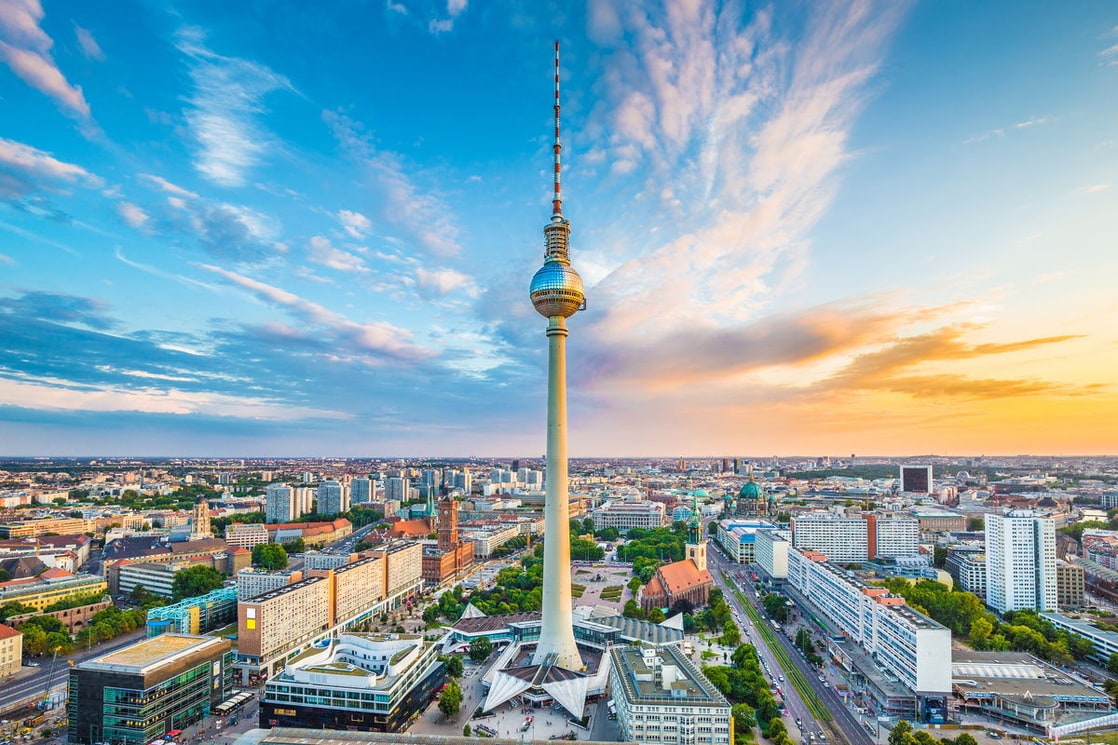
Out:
{"x": 661, "y": 697}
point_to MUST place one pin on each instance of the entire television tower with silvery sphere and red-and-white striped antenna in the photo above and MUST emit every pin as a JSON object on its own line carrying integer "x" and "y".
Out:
{"x": 557, "y": 295}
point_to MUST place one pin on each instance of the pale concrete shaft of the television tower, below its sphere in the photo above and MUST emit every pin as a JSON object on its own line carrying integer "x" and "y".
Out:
{"x": 557, "y": 633}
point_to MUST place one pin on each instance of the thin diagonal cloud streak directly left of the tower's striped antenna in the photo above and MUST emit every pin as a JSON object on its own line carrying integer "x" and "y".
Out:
{"x": 422, "y": 215}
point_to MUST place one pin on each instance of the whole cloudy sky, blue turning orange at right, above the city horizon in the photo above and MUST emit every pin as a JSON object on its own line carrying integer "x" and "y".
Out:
{"x": 308, "y": 229}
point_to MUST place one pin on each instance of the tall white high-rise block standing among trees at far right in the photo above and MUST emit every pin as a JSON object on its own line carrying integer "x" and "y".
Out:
{"x": 1021, "y": 562}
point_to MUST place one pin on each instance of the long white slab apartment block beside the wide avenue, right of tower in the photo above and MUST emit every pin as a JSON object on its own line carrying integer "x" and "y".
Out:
{"x": 912, "y": 646}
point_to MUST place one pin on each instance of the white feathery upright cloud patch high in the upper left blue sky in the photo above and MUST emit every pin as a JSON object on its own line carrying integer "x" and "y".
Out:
{"x": 225, "y": 110}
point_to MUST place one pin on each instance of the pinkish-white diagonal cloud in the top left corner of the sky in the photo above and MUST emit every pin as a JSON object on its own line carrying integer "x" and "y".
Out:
{"x": 26, "y": 49}
